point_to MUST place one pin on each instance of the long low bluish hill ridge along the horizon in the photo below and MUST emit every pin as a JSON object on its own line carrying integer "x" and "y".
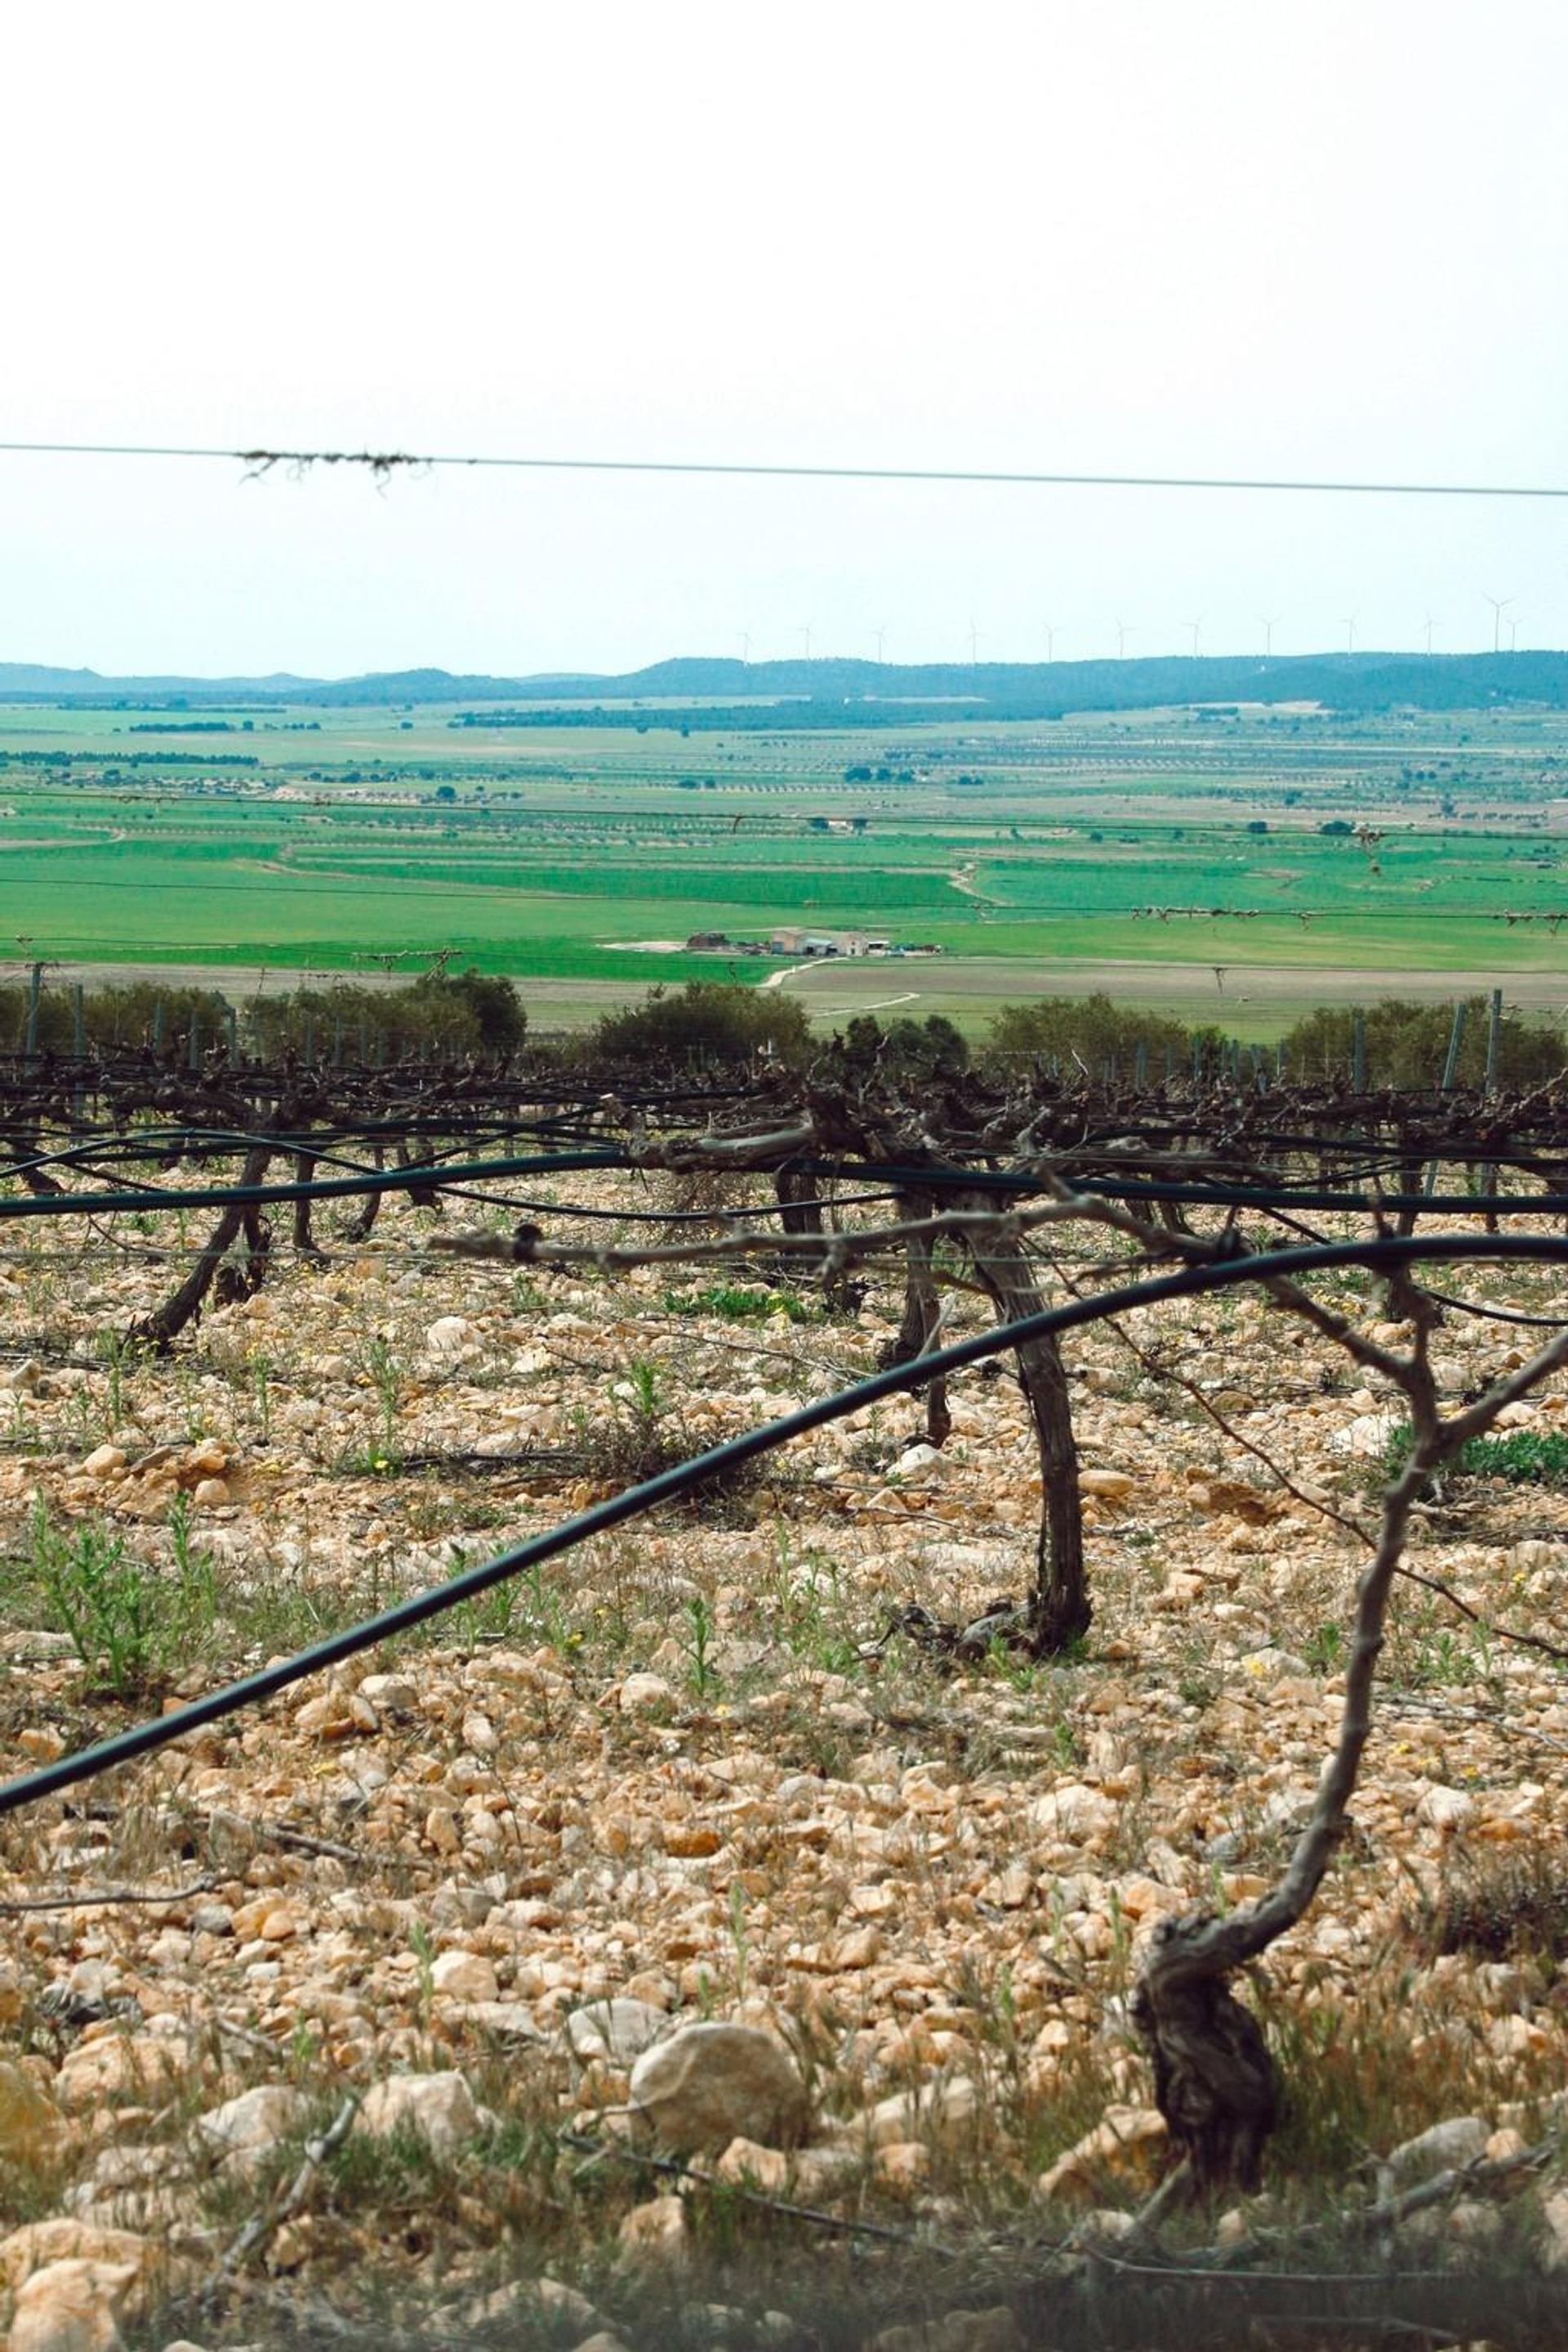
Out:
{"x": 819, "y": 690}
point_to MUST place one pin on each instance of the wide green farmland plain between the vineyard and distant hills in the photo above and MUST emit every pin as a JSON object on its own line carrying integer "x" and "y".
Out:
{"x": 1026, "y": 853}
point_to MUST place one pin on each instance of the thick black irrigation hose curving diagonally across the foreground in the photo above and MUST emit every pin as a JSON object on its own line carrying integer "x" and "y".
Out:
{"x": 1224, "y": 1274}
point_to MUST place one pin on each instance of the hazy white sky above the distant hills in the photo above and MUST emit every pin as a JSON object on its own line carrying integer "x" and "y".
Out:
{"x": 1198, "y": 236}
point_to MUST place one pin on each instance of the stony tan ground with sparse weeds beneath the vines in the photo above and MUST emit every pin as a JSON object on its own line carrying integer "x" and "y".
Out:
{"x": 521, "y": 1984}
